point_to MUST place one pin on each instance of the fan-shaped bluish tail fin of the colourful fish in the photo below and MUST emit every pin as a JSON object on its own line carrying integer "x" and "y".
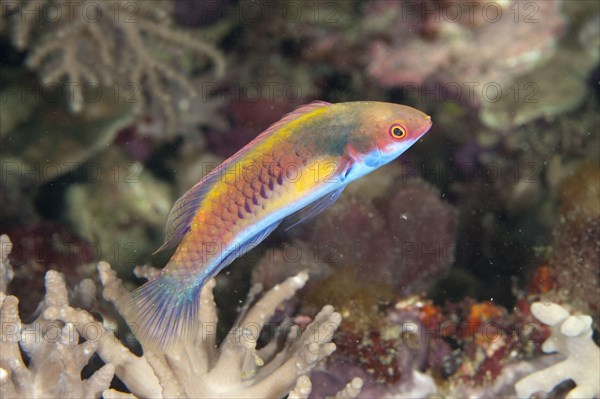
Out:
{"x": 163, "y": 313}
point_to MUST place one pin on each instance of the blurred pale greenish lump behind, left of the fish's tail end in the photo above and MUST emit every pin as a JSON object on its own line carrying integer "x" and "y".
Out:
{"x": 121, "y": 210}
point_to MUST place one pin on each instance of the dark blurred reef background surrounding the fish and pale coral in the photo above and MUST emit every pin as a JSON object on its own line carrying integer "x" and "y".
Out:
{"x": 110, "y": 110}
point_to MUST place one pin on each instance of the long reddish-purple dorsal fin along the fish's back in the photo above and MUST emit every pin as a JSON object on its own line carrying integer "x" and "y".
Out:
{"x": 183, "y": 211}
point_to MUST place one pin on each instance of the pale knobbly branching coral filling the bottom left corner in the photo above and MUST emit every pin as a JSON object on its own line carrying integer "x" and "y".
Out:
{"x": 55, "y": 356}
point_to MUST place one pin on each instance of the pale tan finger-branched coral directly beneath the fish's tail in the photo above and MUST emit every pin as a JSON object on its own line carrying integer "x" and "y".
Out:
{"x": 235, "y": 368}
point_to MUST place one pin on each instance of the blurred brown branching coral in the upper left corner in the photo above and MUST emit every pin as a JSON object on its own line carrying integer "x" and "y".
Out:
{"x": 127, "y": 47}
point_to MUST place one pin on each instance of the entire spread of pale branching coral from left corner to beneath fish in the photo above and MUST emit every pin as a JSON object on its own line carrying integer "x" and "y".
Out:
{"x": 235, "y": 368}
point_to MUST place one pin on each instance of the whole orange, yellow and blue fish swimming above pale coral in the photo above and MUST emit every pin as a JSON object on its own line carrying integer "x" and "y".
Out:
{"x": 292, "y": 171}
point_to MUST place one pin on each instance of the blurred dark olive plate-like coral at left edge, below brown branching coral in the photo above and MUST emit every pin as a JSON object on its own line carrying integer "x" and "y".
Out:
{"x": 35, "y": 148}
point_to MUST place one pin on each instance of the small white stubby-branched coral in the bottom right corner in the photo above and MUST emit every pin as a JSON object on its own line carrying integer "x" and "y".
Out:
{"x": 572, "y": 337}
